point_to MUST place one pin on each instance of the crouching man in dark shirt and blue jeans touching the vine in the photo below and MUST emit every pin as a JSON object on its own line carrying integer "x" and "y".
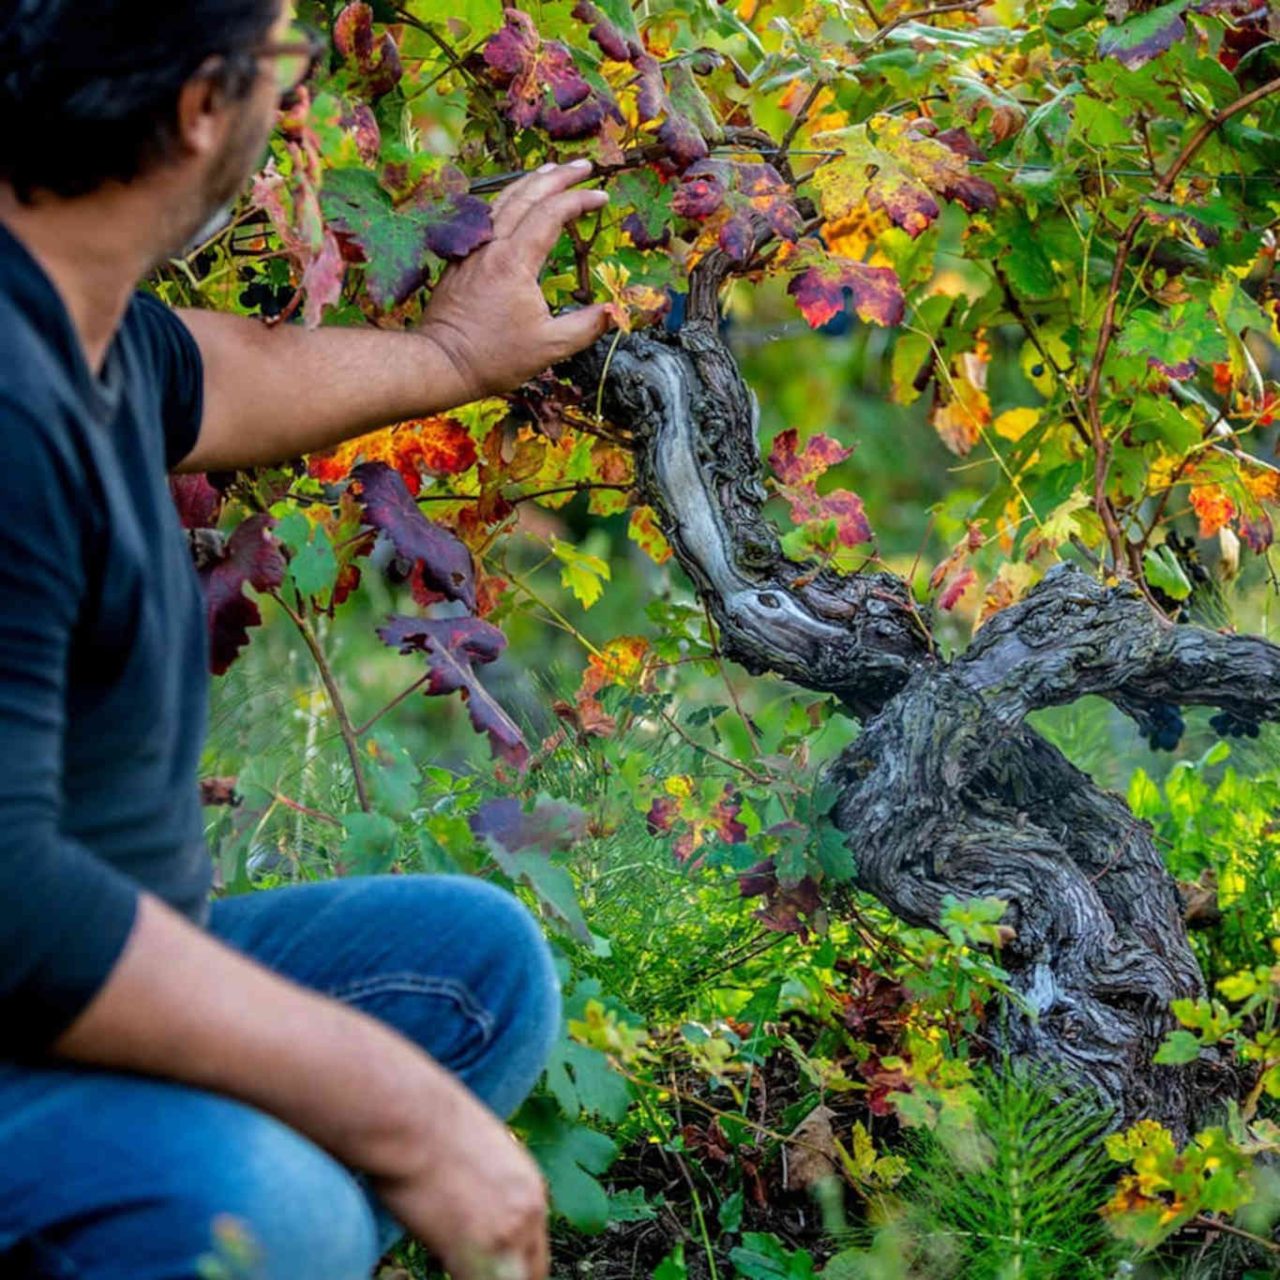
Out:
{"x": 258, "y": 1067}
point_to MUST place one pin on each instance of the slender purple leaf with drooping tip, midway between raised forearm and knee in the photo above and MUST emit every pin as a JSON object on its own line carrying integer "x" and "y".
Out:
{"x": 452, "y": 647}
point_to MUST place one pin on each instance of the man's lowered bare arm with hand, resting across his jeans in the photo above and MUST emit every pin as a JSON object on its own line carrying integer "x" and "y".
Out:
{"x": 181, "y": 1005}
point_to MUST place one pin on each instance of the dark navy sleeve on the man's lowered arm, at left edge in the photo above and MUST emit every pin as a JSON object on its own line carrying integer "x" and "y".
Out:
{"x": 65, "y": 915}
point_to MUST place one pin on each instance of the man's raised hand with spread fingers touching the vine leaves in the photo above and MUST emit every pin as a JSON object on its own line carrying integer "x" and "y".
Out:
{"x": 488, "y": 314}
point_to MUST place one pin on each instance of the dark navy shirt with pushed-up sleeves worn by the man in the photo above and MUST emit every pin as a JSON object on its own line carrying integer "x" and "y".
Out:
{"x": 103, "y": 666}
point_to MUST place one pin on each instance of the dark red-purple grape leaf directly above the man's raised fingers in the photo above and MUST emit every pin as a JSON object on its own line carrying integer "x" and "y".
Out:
{"x": 545, "y": 88}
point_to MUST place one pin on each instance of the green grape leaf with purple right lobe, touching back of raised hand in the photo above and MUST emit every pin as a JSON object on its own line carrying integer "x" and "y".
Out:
{"x": 397, "y": 244}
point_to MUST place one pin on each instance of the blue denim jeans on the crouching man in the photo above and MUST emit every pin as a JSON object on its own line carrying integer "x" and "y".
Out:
{"x": 113, "y": 1177}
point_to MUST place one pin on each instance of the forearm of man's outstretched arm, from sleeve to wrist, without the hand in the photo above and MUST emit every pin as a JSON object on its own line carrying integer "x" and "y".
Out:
{"x": 284, "y": 392}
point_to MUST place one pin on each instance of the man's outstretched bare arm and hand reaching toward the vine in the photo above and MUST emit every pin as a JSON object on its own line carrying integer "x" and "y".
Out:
{"x": 278, "y": 394}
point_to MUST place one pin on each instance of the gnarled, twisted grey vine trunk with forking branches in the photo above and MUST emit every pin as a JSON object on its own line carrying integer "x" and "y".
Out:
{"x": 948, "y": 792}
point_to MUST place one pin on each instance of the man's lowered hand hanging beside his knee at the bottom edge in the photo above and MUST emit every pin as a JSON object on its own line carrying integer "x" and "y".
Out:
{"x": 474, "y": 1197}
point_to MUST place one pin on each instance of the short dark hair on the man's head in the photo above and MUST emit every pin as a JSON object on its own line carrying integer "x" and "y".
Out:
{"x": 89, "y": 89}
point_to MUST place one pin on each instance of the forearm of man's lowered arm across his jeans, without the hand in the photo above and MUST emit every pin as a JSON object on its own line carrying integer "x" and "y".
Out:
{"x": 182, "y": 1007}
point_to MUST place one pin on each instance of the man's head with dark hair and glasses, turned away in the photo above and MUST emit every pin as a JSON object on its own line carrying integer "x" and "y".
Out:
{"x": 122, "y": 92}
